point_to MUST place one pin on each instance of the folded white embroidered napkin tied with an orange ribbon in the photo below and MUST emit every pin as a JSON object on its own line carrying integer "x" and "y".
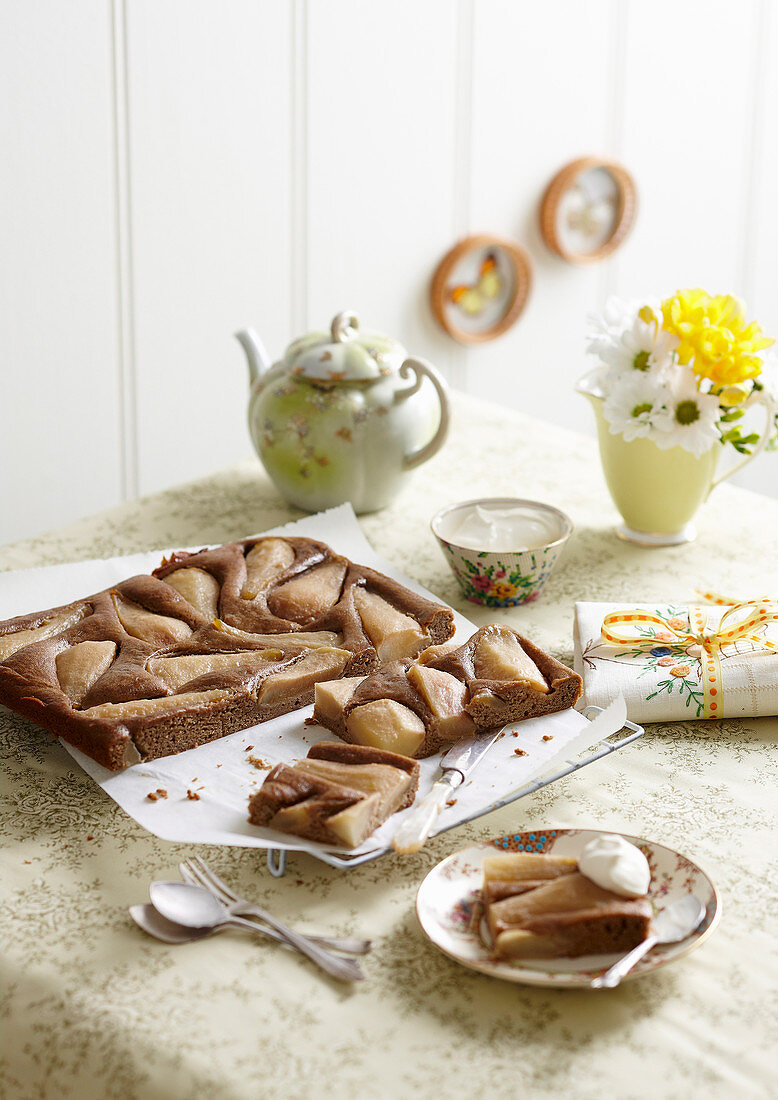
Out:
{"x": 675, "y": 662}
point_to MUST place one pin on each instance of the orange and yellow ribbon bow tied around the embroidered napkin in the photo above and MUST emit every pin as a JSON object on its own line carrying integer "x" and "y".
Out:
{"x": 740, "y": 623}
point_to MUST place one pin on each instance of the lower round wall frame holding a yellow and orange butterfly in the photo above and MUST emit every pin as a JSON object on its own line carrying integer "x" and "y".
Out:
{"x": 480, "y": 288}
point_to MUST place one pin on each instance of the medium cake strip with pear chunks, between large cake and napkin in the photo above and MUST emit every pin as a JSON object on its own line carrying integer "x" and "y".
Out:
{"x": 420, "y": 707}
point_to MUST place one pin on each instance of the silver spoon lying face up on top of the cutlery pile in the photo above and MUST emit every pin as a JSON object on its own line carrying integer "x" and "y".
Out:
{"x": 195, "y": 908}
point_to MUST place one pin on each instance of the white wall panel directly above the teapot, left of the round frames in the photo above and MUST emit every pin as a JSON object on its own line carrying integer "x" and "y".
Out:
{"x": 381, "y": 163}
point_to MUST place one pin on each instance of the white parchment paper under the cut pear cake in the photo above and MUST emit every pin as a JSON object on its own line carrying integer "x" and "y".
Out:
{"x": 223, "y": 775}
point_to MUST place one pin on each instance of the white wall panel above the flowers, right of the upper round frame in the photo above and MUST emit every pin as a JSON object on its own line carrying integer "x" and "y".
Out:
{"x": 688, "y": 107}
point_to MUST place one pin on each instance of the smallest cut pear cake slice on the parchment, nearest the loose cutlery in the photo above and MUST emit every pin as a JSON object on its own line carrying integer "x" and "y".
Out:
{"x": 339, "y": 795}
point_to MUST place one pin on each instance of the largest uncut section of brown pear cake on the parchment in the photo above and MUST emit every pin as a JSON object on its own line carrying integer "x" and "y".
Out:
{"x": 209, "y": 644}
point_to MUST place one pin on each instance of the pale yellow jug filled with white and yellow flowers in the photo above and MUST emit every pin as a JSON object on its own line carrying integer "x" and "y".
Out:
{"x": 672, "y": 390}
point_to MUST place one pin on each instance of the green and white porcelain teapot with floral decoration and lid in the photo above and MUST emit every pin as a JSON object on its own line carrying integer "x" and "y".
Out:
{"x": 344, "y": 416}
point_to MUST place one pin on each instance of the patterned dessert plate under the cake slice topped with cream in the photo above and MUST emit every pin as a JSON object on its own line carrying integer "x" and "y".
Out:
{"x": 447, "y": 907}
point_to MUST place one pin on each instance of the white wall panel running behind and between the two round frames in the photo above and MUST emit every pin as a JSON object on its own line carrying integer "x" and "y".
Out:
{"x": 542, "y": 97}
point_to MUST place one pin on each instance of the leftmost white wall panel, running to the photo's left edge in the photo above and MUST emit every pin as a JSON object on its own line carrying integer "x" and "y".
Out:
{"x": 60, "y": 446}
